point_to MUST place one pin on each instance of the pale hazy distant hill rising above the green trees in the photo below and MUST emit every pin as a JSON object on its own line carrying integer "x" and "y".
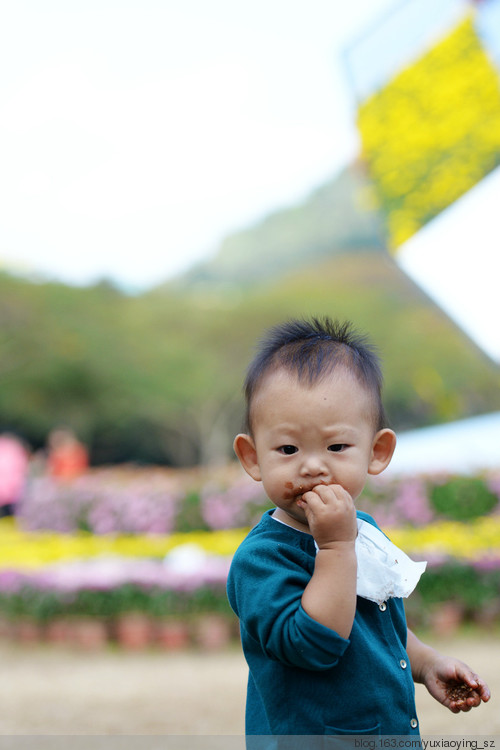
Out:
{"x": 334, "y": 218}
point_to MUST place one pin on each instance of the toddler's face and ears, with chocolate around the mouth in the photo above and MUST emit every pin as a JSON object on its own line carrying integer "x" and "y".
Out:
{"x": 305, "y": 436}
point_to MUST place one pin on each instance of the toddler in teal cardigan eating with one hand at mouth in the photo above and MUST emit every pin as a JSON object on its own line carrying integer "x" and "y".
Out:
{"x": 318, "y": 588}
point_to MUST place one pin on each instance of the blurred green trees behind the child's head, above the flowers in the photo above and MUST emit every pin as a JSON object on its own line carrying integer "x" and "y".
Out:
{"x": 157, "y": 378}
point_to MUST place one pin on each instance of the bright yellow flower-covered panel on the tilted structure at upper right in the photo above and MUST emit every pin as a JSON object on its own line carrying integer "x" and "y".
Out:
{"x": 433, "y": 131}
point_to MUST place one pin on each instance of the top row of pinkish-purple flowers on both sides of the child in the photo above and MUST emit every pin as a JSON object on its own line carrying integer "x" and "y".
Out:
{"x": 148, "y": 502}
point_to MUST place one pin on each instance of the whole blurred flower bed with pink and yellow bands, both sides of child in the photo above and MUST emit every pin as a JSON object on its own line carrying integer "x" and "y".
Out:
{"x": 178, "y": 576}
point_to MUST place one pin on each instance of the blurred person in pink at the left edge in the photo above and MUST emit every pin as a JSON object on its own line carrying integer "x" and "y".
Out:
{"x": 14, "y": 459}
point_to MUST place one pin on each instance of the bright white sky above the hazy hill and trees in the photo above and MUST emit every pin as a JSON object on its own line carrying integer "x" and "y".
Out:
{"x": 136, "y": 134}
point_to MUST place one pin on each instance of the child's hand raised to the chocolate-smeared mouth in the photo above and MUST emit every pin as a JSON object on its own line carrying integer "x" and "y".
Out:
{"x": 330, "y": 514}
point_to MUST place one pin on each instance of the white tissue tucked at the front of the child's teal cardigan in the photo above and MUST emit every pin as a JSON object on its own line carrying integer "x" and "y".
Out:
{"x": 384, "y": 570}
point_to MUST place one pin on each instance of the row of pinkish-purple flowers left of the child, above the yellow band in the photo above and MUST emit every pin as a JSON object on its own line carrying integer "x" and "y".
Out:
{"x": 142, "y": 501}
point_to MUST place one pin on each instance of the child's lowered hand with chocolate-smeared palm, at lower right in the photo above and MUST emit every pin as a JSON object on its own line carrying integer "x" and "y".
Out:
{"x": 455, "y": 685}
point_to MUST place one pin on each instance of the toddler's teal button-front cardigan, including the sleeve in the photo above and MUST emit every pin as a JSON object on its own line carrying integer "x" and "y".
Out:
{"x": 304, "y": 679}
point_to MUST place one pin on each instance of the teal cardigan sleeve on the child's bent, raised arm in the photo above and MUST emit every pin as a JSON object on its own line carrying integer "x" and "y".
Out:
{"x": 265, "y": 588}
